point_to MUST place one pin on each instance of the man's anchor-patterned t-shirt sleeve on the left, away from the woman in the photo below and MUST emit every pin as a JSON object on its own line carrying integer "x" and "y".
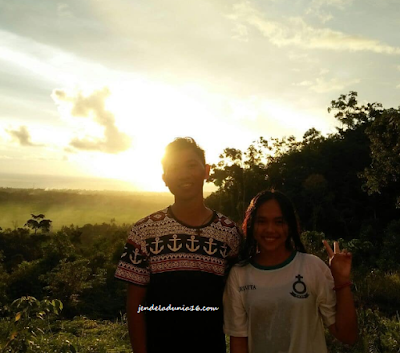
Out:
{"x": 133, "y": 266}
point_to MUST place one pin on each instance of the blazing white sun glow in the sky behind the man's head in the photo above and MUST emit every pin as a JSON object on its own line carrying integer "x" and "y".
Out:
{"x": 153, "y": 115}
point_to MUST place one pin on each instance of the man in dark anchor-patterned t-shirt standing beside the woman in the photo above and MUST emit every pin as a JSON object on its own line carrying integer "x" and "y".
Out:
{"x": 175, "y": 262}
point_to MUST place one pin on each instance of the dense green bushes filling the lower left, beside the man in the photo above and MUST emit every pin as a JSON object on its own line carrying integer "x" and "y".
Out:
{"x": 75, "y": 267}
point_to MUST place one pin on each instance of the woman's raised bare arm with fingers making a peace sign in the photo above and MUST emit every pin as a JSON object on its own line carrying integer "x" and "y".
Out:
{"x": 345, "y": 328}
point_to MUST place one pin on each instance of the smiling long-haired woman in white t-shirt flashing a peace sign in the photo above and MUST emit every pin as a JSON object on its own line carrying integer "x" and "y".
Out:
{"x": 278, "y": 297}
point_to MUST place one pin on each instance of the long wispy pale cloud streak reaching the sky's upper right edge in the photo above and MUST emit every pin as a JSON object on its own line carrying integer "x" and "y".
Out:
{"x": 296, "y": 32}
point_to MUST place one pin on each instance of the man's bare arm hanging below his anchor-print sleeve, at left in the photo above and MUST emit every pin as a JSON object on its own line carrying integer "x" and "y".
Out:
{"x": 136, "y": 321}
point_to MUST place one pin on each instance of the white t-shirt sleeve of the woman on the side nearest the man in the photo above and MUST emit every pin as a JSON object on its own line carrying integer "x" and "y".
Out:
{"x": 235, "y": 316}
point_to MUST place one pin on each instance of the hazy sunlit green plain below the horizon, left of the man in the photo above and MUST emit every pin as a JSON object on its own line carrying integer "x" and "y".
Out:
{"x": 78, "y": 207}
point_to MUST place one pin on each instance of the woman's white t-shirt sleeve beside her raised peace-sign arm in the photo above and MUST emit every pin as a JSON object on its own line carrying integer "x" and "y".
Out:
{"x": 326, "y": 296}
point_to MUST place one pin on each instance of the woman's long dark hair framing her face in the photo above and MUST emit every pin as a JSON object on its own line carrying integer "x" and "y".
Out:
{"x": 293, "y": 240}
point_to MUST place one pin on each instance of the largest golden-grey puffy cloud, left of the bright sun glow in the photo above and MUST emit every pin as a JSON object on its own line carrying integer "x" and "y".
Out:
{"x": 93, "y": 106}
